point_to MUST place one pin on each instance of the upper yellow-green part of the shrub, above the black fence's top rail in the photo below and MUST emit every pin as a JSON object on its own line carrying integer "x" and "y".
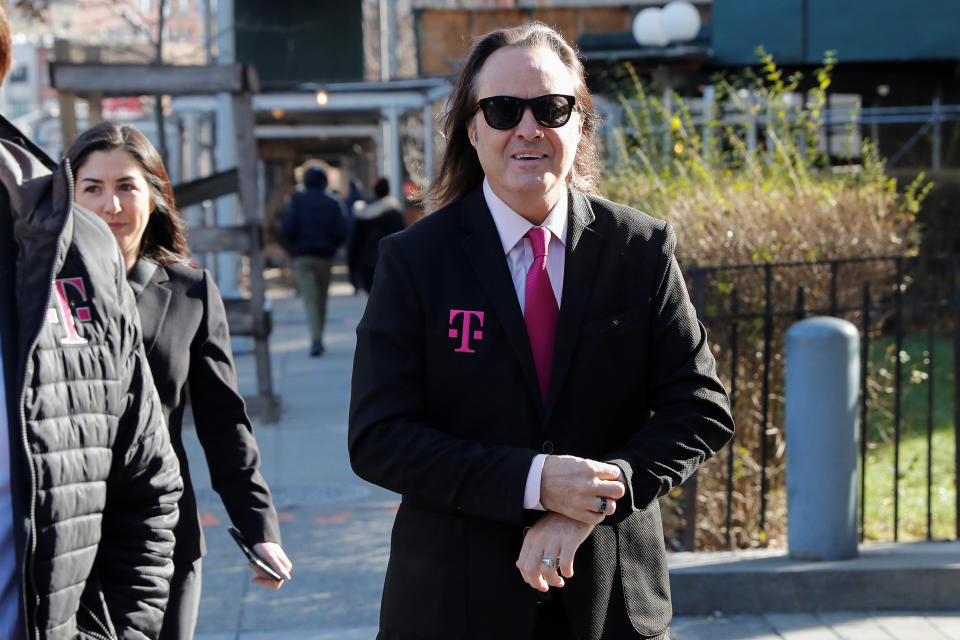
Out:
{"x": 731, "y": 201}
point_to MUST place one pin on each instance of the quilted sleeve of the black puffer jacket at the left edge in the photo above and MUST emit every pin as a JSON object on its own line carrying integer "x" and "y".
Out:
{"x": 135, "y": 559}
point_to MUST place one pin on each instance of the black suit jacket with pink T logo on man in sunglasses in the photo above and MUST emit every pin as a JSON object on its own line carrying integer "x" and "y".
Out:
{"x": 450, "y": 416}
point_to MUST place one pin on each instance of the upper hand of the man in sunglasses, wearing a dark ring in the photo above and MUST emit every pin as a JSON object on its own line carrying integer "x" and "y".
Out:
{"x": 575, "y": 486}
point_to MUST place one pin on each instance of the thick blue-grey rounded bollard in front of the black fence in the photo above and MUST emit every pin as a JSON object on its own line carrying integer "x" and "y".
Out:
{"x": 823, "y": 370}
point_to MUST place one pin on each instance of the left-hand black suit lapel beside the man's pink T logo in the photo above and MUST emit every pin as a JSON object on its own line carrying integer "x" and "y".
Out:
{"x": 484, "y": 251}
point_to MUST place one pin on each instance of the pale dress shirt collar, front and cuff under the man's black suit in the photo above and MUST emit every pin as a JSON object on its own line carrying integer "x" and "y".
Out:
{"x": 512, "y": 227}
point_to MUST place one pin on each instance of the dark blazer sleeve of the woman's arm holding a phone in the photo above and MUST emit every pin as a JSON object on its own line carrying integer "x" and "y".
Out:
{"x": 223, "y": 426}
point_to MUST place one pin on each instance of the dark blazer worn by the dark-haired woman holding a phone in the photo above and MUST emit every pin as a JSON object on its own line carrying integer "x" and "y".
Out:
{"x": 187, "y": 341}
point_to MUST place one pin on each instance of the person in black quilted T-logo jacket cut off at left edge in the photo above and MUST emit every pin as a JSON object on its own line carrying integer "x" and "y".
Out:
{"x": 89, "y": 481}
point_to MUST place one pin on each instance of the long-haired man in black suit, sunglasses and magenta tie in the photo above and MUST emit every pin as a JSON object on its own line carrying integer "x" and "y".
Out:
{"x": 530, "y": 375}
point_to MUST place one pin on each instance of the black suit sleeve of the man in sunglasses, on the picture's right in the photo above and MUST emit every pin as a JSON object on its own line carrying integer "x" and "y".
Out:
{"x": 691, "y": 417}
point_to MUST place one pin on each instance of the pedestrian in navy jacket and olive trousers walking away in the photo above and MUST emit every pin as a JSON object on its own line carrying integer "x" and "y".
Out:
{"x": 314, "y": 225}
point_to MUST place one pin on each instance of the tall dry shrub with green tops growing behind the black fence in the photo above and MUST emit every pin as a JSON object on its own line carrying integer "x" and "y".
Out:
{"x": 732, "y": 206}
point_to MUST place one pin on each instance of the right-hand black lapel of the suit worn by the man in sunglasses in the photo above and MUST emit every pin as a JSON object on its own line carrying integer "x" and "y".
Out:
{"x": 583, "y": 250}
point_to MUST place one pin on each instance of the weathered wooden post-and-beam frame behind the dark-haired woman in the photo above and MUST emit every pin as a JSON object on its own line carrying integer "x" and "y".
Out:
{"x": 246, "y": 316}
